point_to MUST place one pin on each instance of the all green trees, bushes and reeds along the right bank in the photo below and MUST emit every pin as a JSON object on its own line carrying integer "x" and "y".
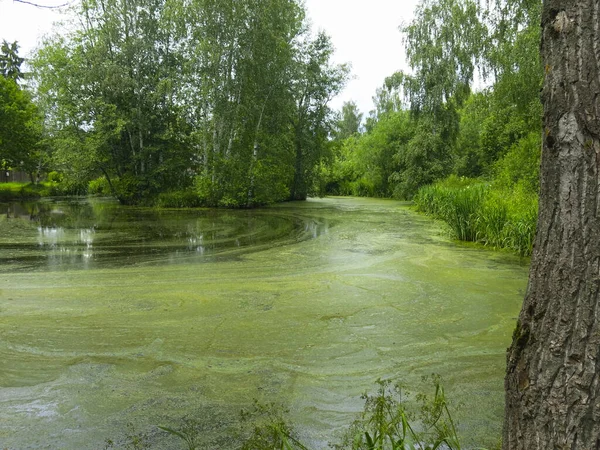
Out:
{"x": 446, "y": 129}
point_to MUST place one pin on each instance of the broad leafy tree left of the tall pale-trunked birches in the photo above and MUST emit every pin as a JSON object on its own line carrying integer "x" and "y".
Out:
{"x": 113, "y": 93}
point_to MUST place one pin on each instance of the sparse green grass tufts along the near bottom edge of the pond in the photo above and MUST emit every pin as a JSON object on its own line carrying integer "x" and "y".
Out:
{"x": 389, "y": 421}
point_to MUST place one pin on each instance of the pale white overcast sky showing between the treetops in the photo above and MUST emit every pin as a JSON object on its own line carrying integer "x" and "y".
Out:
{"x": 364, "y": 32}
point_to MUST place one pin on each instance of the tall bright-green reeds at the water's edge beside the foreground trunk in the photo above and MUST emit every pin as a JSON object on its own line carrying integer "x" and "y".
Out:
{"x": 480, "y": 212}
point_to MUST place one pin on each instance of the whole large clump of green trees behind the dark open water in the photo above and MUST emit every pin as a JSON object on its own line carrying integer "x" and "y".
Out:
{"x": 164, "y": 95}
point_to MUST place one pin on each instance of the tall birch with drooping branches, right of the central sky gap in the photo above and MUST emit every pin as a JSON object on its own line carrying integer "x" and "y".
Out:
{"x": 444, "y": 42}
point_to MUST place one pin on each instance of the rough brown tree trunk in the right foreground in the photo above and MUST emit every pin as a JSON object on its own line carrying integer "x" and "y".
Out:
{"x": 553, "y": 371}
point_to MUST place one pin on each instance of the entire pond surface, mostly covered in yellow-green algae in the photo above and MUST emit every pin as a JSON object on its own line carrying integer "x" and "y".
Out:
{"x": 112, "y": 315}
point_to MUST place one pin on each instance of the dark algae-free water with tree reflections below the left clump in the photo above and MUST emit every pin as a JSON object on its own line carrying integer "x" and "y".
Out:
{"x": 93, "y": 233}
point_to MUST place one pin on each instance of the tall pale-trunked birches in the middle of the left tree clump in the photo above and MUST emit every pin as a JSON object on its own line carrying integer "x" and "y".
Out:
{"x": 243, "y": 57}
